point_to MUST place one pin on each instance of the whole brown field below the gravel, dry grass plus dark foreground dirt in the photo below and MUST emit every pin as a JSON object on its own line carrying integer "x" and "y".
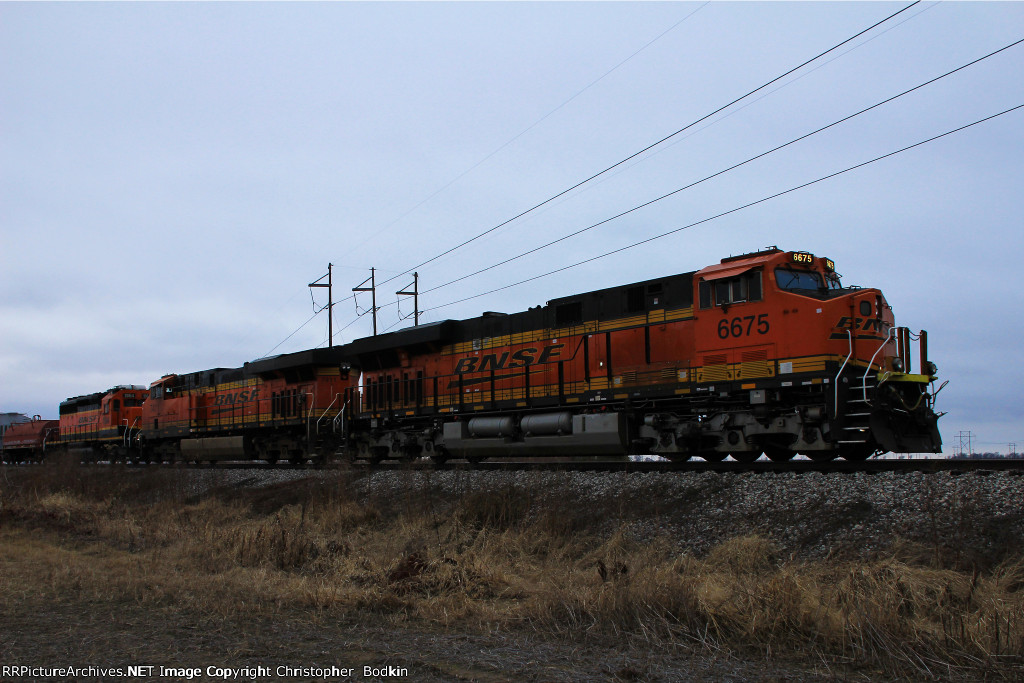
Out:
{"x": 129, "y": 567}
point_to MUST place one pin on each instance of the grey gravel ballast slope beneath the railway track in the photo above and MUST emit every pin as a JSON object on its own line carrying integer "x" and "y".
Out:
{"x": 810, "y": 516}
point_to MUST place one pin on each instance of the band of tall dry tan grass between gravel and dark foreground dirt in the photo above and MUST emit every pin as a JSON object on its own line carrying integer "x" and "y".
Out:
{"x": 494, "y": 562}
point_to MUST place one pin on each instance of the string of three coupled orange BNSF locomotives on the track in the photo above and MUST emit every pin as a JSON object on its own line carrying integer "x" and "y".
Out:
{"x": 762, "y": 354}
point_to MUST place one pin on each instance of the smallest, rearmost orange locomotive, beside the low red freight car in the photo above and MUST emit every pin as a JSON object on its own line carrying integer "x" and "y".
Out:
{"x": 103, "y": 425}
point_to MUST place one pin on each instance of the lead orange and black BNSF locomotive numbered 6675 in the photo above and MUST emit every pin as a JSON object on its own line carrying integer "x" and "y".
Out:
{"x": 762, "y": 354}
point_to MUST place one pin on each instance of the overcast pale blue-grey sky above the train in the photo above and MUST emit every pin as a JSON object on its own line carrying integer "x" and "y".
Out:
{"x": 175, "y": 176}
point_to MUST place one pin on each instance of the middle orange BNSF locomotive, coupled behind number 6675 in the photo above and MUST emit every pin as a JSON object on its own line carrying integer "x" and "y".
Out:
{"x": 285, "y": 407}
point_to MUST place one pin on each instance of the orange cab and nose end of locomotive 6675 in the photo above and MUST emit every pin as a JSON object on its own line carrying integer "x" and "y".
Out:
{"x": 828, "y": 370}
